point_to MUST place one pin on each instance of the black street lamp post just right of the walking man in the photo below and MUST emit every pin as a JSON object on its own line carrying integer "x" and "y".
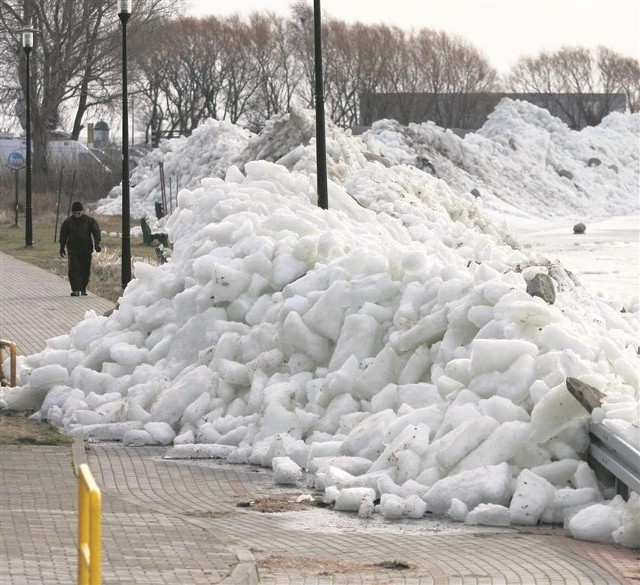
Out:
{"x": 124, "y": 12}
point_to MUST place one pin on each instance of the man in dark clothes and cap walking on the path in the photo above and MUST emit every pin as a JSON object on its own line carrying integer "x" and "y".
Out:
{"x": 80, "y": 234}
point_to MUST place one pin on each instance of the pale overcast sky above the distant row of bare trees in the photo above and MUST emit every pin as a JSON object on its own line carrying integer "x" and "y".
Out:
{"x": 503, "y": 30}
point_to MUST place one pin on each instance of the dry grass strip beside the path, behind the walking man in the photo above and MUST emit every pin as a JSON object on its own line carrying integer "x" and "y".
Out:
{"x": 106, "y": 270}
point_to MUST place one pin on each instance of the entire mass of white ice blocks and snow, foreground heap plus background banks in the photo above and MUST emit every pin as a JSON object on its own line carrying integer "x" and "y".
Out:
{"x": 390, "y": 347}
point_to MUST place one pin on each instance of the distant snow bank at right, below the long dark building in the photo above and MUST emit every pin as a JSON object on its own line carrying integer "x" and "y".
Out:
{"x": 523, "y": 160}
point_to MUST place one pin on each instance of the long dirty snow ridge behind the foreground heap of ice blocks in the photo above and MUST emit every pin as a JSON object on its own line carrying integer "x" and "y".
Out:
{"x": 523, "y": 162}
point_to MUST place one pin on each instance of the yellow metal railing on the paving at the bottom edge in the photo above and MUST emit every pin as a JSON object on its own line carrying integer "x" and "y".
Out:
{"x": 89, "y": 528}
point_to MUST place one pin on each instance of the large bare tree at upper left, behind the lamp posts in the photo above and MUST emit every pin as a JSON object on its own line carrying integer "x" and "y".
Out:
{"x": 75, "y": 61}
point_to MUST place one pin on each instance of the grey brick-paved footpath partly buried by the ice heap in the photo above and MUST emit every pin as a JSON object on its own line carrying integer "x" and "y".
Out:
{"x": 191, "y": 522}
